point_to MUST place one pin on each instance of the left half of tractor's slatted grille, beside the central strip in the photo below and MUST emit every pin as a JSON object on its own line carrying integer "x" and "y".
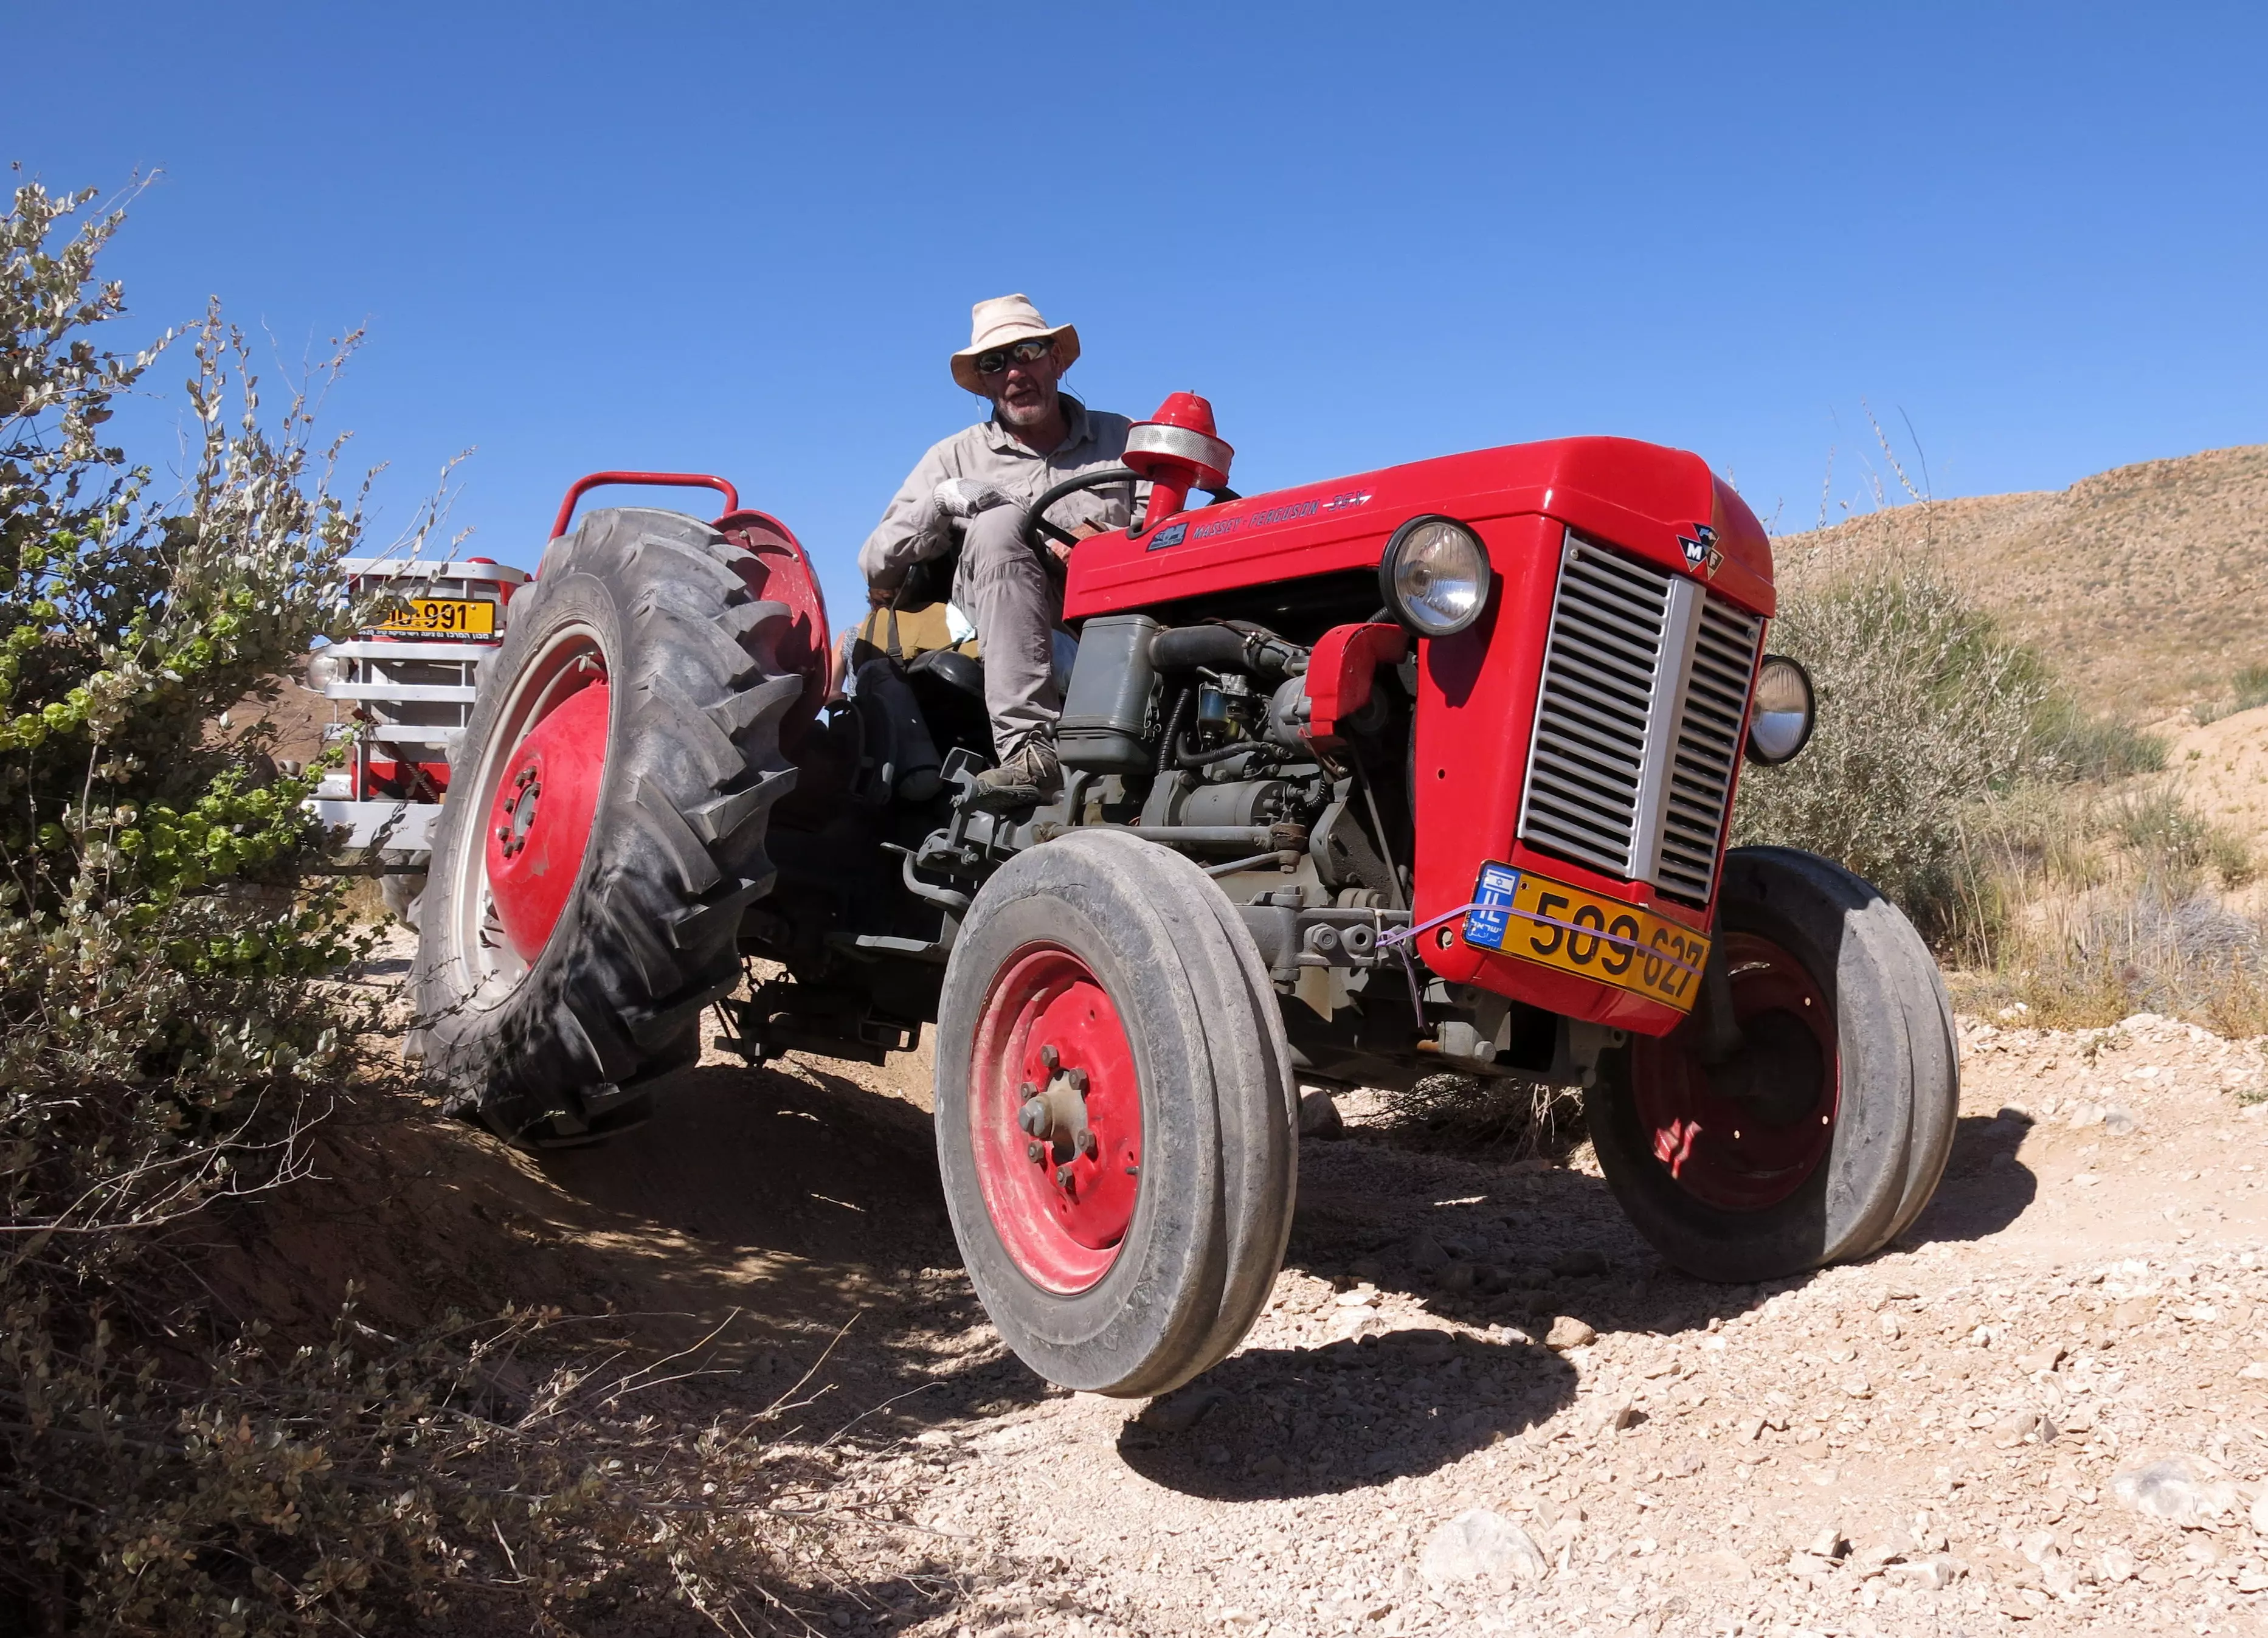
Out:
{"x": 1602, "y": 670}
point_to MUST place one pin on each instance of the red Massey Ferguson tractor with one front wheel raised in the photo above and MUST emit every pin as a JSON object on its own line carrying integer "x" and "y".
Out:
{"x": 1423, "y": 770}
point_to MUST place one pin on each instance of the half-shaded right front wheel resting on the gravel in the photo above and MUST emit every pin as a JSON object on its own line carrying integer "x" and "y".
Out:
{"x": 1829, "y": 1129}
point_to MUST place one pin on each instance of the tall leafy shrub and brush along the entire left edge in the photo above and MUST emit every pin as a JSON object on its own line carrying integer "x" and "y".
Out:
{"x": 167, "y": 1033}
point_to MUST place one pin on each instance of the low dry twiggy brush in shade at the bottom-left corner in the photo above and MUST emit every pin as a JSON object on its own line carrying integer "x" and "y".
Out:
{"x": 373, "y": 1483}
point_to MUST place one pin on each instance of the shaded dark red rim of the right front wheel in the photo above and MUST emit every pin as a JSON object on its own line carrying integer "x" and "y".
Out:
{"x": 1736, "y": 1154}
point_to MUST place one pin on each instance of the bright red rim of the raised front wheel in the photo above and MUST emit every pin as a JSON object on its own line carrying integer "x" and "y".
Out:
{"x": 1060, "y": 1208}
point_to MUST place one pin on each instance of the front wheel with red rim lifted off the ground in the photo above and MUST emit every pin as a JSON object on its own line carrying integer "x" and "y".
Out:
{"x": 1124, "y": 1294}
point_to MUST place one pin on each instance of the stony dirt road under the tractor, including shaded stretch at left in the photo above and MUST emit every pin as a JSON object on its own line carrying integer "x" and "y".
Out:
{"x": 1927, "y": 1444}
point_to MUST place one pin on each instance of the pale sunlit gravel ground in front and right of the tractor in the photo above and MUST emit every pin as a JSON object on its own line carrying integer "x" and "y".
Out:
{"x": 1480, "y": 1403}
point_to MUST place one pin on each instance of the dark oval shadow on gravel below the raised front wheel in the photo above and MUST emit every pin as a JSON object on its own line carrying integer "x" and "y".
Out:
{"x": 1278, "y": 1424}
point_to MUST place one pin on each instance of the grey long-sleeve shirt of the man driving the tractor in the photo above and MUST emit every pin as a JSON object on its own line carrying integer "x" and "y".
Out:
{"x": 911, "y": 530}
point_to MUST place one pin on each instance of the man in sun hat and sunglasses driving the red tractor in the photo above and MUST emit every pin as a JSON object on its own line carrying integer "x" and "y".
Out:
{"x": 979, "y": 484}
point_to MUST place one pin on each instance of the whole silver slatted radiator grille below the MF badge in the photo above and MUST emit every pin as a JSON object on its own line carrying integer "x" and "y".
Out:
{"x": 1636, "y": 723}
